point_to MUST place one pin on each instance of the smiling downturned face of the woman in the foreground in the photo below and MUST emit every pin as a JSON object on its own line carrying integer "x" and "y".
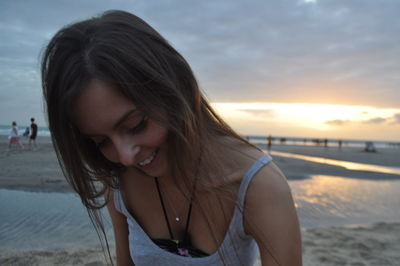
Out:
{"x": 122, "y": 133}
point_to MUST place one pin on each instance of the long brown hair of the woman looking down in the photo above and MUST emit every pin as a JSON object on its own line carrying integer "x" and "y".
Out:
{"x": 124, "y": 51}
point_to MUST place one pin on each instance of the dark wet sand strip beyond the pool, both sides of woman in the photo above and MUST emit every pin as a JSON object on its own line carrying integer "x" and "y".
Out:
{"x": 39, "y": 171}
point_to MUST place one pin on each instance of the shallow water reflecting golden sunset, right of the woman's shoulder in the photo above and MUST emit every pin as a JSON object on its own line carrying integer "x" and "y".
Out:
{"x": 339, "y": 200}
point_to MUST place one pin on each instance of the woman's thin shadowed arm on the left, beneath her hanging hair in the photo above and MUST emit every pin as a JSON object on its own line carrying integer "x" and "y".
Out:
{"x": 120, "y": 233}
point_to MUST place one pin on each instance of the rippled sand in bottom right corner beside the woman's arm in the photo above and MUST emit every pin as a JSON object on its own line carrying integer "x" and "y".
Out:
{"x": 377, "y": 245}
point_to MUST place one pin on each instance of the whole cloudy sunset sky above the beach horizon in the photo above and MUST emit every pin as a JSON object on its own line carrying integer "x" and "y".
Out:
{"x": 295, "y": 68}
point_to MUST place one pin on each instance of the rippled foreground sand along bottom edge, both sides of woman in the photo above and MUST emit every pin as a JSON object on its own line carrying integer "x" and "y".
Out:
{"x": 376, "y": 245}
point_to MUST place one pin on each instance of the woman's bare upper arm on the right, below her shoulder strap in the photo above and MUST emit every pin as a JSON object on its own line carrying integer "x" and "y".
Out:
{"x": 270, "y": 217}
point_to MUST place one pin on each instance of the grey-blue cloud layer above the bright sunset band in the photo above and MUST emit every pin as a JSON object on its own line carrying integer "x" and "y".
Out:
{"x": 267, "y": 51}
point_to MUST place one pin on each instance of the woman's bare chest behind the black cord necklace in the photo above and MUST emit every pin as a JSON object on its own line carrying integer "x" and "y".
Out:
{"x": 210, "y": 216}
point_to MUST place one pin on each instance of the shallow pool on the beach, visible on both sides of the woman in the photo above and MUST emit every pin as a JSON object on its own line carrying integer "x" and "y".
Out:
{"x": 31, "y": 220}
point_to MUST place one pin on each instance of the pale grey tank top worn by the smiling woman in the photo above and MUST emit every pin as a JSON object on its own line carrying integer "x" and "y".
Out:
{"x": 237, "y": 248}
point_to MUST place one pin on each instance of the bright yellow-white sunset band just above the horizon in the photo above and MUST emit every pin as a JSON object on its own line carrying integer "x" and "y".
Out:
{"x": 312, "y": 120}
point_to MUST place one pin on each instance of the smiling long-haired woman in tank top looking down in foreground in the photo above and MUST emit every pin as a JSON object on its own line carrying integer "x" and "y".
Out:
{"x": 133, "y": 131}
